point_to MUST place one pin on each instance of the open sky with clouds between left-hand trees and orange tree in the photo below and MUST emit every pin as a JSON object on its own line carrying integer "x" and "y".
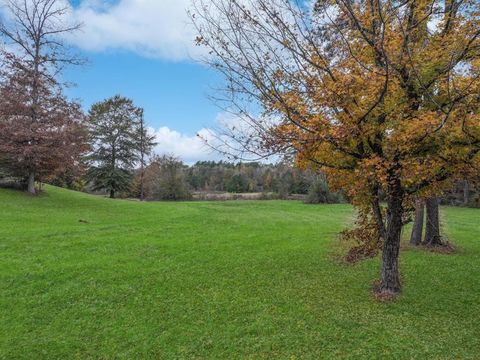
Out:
{"x": 144, "y": 49}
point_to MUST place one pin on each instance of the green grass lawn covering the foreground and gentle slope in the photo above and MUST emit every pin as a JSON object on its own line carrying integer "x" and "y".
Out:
{"x": 224, "y": 280}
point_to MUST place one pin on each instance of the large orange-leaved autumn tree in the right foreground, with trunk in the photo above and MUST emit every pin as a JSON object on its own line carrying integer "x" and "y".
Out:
{"x": 381, "y": 96}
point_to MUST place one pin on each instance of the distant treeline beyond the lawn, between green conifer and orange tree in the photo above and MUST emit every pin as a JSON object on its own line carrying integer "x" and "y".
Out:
{"x": 167, "y": 178}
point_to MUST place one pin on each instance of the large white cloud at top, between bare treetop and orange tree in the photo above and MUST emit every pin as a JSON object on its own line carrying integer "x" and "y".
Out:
{"x": 155, "y": 28}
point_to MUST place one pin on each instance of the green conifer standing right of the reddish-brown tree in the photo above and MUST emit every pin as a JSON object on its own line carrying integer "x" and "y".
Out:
{"x": 114, "y": 138}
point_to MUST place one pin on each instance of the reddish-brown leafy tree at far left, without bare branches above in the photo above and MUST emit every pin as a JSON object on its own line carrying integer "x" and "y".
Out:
{"x": 48, "y": 147}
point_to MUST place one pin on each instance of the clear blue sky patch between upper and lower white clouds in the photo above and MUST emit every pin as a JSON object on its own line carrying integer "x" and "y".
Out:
{"x": 173, "y": 93}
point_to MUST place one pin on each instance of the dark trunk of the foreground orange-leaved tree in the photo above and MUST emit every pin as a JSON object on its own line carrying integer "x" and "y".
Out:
{"x": 390, "y": 279}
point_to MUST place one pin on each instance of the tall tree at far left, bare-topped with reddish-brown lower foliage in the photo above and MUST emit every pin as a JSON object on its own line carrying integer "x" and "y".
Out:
{"x": 35, "y": 115}
